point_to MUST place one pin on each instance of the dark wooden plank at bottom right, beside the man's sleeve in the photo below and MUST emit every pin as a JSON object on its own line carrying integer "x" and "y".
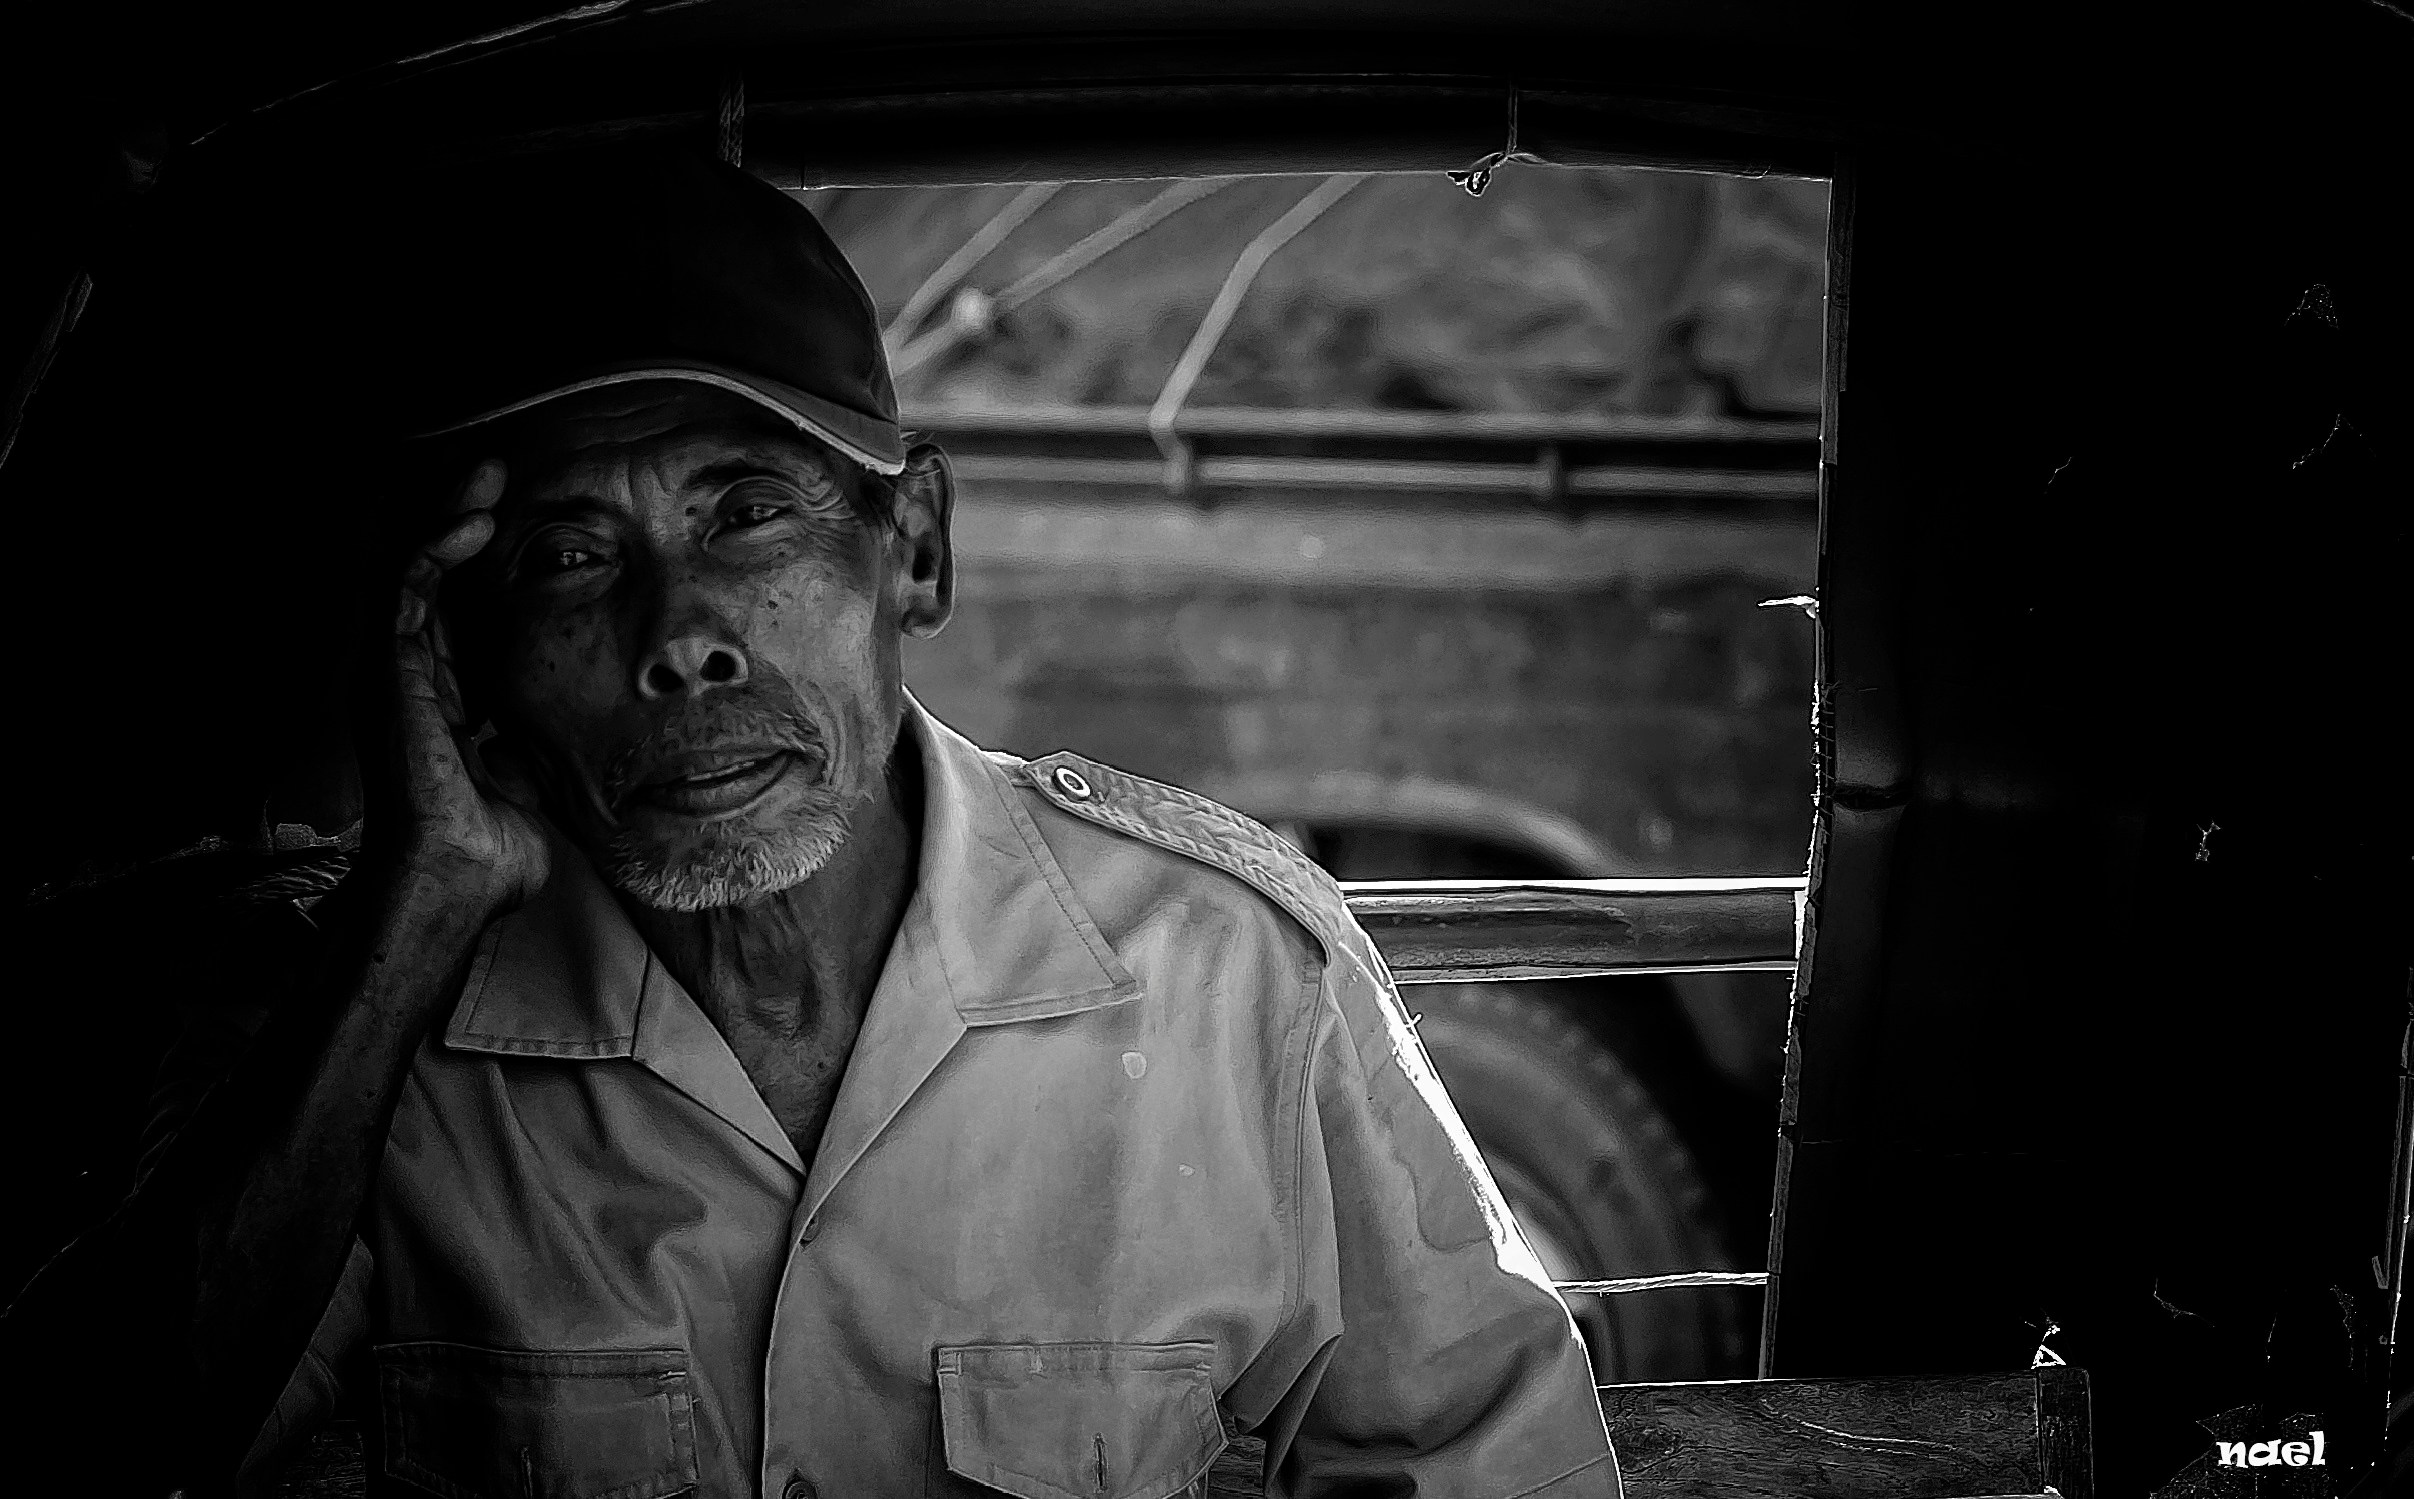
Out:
{"x": 1829, "y": 1437}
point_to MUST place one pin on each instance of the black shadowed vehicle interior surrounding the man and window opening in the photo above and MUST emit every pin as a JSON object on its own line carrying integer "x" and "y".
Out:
{"x": 2099, "y": 1034}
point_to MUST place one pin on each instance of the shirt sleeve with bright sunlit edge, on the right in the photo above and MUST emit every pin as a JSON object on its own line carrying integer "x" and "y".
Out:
{"x": 1433, "y": 1353}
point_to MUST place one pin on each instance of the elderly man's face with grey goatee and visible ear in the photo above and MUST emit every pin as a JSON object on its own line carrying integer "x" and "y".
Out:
{"x": 689, "y": 624}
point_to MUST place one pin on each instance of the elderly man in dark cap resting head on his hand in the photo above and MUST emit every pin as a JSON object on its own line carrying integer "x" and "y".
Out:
{"x": 752, "y": 1087}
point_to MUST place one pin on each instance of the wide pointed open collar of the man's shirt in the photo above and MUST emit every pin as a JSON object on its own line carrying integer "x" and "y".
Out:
{"x": 993, "y": 933}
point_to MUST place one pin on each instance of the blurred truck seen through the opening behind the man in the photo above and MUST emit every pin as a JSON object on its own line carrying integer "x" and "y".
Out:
{"x": 1457, "y": 537}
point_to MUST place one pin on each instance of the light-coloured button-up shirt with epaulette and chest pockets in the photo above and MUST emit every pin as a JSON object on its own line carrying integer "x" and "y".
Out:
{"x": 1136, "y": 1150}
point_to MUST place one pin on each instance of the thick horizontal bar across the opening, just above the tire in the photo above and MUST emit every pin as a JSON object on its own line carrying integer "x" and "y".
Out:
{"x": 1464, "y": 931}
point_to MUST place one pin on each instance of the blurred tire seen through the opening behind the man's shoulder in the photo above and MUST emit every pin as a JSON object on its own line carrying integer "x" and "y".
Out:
{"x": 1592, "y": 1172}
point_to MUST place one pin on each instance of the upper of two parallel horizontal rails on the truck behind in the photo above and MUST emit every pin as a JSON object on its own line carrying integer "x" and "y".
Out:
{"x": 1261, "y": 421}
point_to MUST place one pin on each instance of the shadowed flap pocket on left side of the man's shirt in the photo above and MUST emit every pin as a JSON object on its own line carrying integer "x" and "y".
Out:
{"x": 479, "y": 1423}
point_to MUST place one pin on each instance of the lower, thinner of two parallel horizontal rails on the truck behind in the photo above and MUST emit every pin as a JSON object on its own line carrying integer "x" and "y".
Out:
{"x": 1396, "y": 477}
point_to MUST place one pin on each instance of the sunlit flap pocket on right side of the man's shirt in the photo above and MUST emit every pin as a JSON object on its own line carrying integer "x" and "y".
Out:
{"x": 1078, "y": 1421}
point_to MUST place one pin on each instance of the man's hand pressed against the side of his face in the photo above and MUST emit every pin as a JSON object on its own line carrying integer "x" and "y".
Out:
{"x": 470, "y": 839}
